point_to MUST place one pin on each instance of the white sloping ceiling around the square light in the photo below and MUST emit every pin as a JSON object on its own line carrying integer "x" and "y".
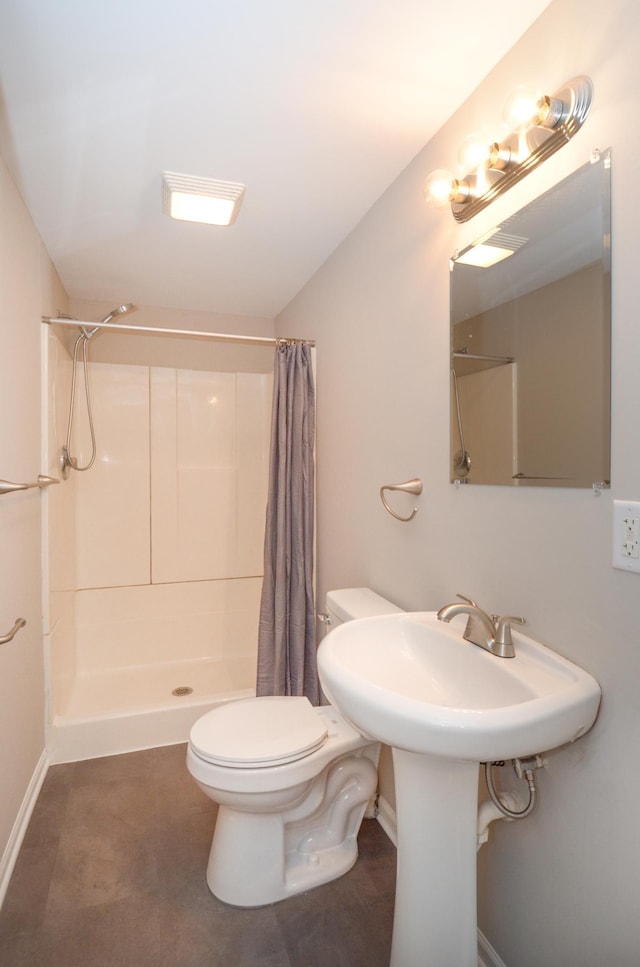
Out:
{"x": 315, "y": 105}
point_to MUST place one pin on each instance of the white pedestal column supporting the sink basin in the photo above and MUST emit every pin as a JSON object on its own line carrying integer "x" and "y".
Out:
{"x": 435, "y": 919}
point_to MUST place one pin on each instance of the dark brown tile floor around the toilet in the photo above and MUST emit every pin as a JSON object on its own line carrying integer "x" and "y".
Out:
{"x": 112, "y": 874}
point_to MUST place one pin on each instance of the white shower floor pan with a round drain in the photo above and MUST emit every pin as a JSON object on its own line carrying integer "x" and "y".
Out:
{"x": 134, "y": 708}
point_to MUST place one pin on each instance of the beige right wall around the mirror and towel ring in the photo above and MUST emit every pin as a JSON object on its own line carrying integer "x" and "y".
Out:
{"x": 561, "y": 887}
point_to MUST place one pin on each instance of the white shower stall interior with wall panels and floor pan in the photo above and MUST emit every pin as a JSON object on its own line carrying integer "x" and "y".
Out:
{"x": 154, "y": 556}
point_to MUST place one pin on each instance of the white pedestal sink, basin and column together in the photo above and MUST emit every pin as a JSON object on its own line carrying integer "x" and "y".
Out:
{"x": 445, "y": 705}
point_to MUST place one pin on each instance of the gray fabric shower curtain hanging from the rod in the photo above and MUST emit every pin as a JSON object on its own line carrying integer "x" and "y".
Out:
{"x": 286, "y": 636}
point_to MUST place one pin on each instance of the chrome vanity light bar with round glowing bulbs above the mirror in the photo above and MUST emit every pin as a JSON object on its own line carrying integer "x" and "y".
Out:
{"x": 538, "y": 126}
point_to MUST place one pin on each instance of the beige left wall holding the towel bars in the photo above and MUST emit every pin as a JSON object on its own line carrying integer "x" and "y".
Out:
{"x": 28, "y": 287}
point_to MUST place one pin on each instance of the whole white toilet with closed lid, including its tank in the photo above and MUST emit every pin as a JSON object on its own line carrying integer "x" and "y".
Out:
{"x": 292, "y": 783}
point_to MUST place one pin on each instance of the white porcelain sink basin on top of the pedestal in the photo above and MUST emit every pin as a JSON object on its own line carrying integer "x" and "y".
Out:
{"x": 413, "y": 682}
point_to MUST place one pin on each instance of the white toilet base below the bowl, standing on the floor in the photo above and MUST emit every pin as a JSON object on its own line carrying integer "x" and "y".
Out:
{"x": 260, "y": 858}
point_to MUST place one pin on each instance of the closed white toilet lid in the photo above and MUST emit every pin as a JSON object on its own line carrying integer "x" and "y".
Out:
{"x": 258, "y": 732}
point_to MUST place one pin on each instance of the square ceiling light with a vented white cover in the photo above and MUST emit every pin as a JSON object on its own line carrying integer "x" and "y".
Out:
{"x": 200, "y": 199}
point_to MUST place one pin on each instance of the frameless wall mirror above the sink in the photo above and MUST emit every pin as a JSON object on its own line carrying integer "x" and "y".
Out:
{"x": 531, "y": 341}
